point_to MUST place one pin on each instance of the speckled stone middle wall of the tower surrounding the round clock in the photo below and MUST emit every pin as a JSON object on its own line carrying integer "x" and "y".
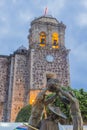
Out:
{"x": 41, "y": 68}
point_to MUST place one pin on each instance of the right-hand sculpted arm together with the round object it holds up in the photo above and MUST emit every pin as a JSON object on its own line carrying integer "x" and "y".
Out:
{"x": 54, "y": 86}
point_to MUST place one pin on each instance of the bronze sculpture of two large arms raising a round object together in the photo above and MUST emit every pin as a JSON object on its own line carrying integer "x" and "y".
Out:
{"x": 53, "y": 85}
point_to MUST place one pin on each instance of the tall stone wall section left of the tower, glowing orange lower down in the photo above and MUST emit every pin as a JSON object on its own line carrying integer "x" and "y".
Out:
{"x": 20, "y": 85}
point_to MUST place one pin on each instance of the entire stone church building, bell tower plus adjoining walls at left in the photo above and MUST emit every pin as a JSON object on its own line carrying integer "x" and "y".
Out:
{"x": 24, "y": 73}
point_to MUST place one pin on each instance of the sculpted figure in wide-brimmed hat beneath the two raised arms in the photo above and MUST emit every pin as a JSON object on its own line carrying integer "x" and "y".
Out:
{"x": 51, "y": 123}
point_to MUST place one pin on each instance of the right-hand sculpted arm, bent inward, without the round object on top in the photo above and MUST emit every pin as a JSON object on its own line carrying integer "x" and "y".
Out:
{"x": 74, "y": 110}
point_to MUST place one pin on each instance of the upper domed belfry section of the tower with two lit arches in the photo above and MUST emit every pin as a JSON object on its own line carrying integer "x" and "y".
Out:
{"x": 47, "y": 31}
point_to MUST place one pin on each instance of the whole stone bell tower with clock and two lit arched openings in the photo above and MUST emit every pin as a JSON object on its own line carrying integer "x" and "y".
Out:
{"x": 48, "y": 54}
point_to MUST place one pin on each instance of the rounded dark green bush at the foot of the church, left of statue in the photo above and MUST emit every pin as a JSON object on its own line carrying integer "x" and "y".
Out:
{"x": 24, "y": 114}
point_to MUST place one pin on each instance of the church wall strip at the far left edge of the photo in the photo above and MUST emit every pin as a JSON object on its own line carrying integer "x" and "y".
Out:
{"x": 4, "y": 67}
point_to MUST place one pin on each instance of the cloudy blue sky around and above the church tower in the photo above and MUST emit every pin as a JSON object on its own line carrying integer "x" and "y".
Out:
{"x": 15, "y": 18}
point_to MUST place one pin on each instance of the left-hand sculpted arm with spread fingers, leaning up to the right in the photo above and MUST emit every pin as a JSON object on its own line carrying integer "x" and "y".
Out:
{"x": 38, "y": 107}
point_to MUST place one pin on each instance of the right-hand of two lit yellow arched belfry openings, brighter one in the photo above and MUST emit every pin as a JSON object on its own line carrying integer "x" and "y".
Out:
{"x": 55, "y": 40}
